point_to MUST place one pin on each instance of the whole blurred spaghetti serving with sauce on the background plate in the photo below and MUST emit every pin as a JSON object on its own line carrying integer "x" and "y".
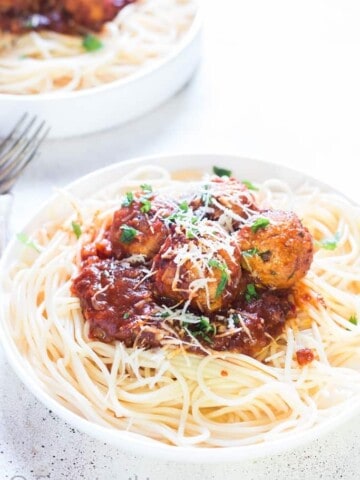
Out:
{"x": 48, "y": 46}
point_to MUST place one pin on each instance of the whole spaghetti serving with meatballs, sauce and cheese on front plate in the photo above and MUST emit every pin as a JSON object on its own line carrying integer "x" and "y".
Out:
{"x": 199, "y": 312}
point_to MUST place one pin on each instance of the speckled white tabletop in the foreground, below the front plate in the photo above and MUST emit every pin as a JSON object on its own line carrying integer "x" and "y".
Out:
{"x": 36, "y": 444}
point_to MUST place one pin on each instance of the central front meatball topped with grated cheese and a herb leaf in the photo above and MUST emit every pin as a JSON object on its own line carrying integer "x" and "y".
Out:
{"x": 200, "y": 265}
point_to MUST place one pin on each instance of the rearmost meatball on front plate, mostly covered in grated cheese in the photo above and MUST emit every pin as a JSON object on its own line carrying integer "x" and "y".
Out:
{"x": 225, "y": 200}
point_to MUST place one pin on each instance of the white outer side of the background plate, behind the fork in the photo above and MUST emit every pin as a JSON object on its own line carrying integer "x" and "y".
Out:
{"x": 100, "y": 108}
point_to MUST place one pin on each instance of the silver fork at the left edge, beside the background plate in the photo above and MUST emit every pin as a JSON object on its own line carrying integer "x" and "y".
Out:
{"x": 16, "y": 152}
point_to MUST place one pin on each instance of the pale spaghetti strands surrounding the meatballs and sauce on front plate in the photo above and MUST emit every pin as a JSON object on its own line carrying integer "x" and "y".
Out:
{"x": 181, "y": 398}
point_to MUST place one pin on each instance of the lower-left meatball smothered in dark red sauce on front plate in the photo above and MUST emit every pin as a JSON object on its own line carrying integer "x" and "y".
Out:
{"x": 116, "y": 301}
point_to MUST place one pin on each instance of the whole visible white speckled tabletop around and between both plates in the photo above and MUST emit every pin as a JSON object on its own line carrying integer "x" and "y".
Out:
{"x": 278, "y": 81}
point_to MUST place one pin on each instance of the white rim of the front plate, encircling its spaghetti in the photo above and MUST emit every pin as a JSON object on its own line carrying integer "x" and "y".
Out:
{"x": 243, "y": 168}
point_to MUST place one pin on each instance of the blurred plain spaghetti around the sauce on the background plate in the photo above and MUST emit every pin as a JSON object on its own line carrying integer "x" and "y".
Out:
{"x": 142, "y": 34}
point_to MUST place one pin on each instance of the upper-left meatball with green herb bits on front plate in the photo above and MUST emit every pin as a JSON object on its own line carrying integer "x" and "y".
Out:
{"x": 138, "y": 228}
